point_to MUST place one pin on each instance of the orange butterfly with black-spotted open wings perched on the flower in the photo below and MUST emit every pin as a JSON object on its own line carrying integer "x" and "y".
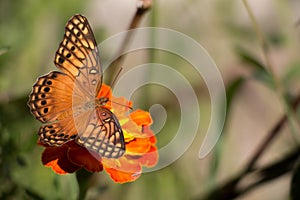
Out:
{"x": 66, "y": 101}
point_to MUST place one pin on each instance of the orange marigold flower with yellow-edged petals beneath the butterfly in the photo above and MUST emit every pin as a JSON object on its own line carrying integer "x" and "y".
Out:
{"x": 140, "y": 144}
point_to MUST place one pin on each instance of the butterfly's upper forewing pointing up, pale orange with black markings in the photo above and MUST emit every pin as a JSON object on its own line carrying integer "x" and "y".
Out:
{"x": 78, "y": 55}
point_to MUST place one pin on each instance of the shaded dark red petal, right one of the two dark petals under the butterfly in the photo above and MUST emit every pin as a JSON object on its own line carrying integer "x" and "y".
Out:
{"x": 82, "y": 157}
